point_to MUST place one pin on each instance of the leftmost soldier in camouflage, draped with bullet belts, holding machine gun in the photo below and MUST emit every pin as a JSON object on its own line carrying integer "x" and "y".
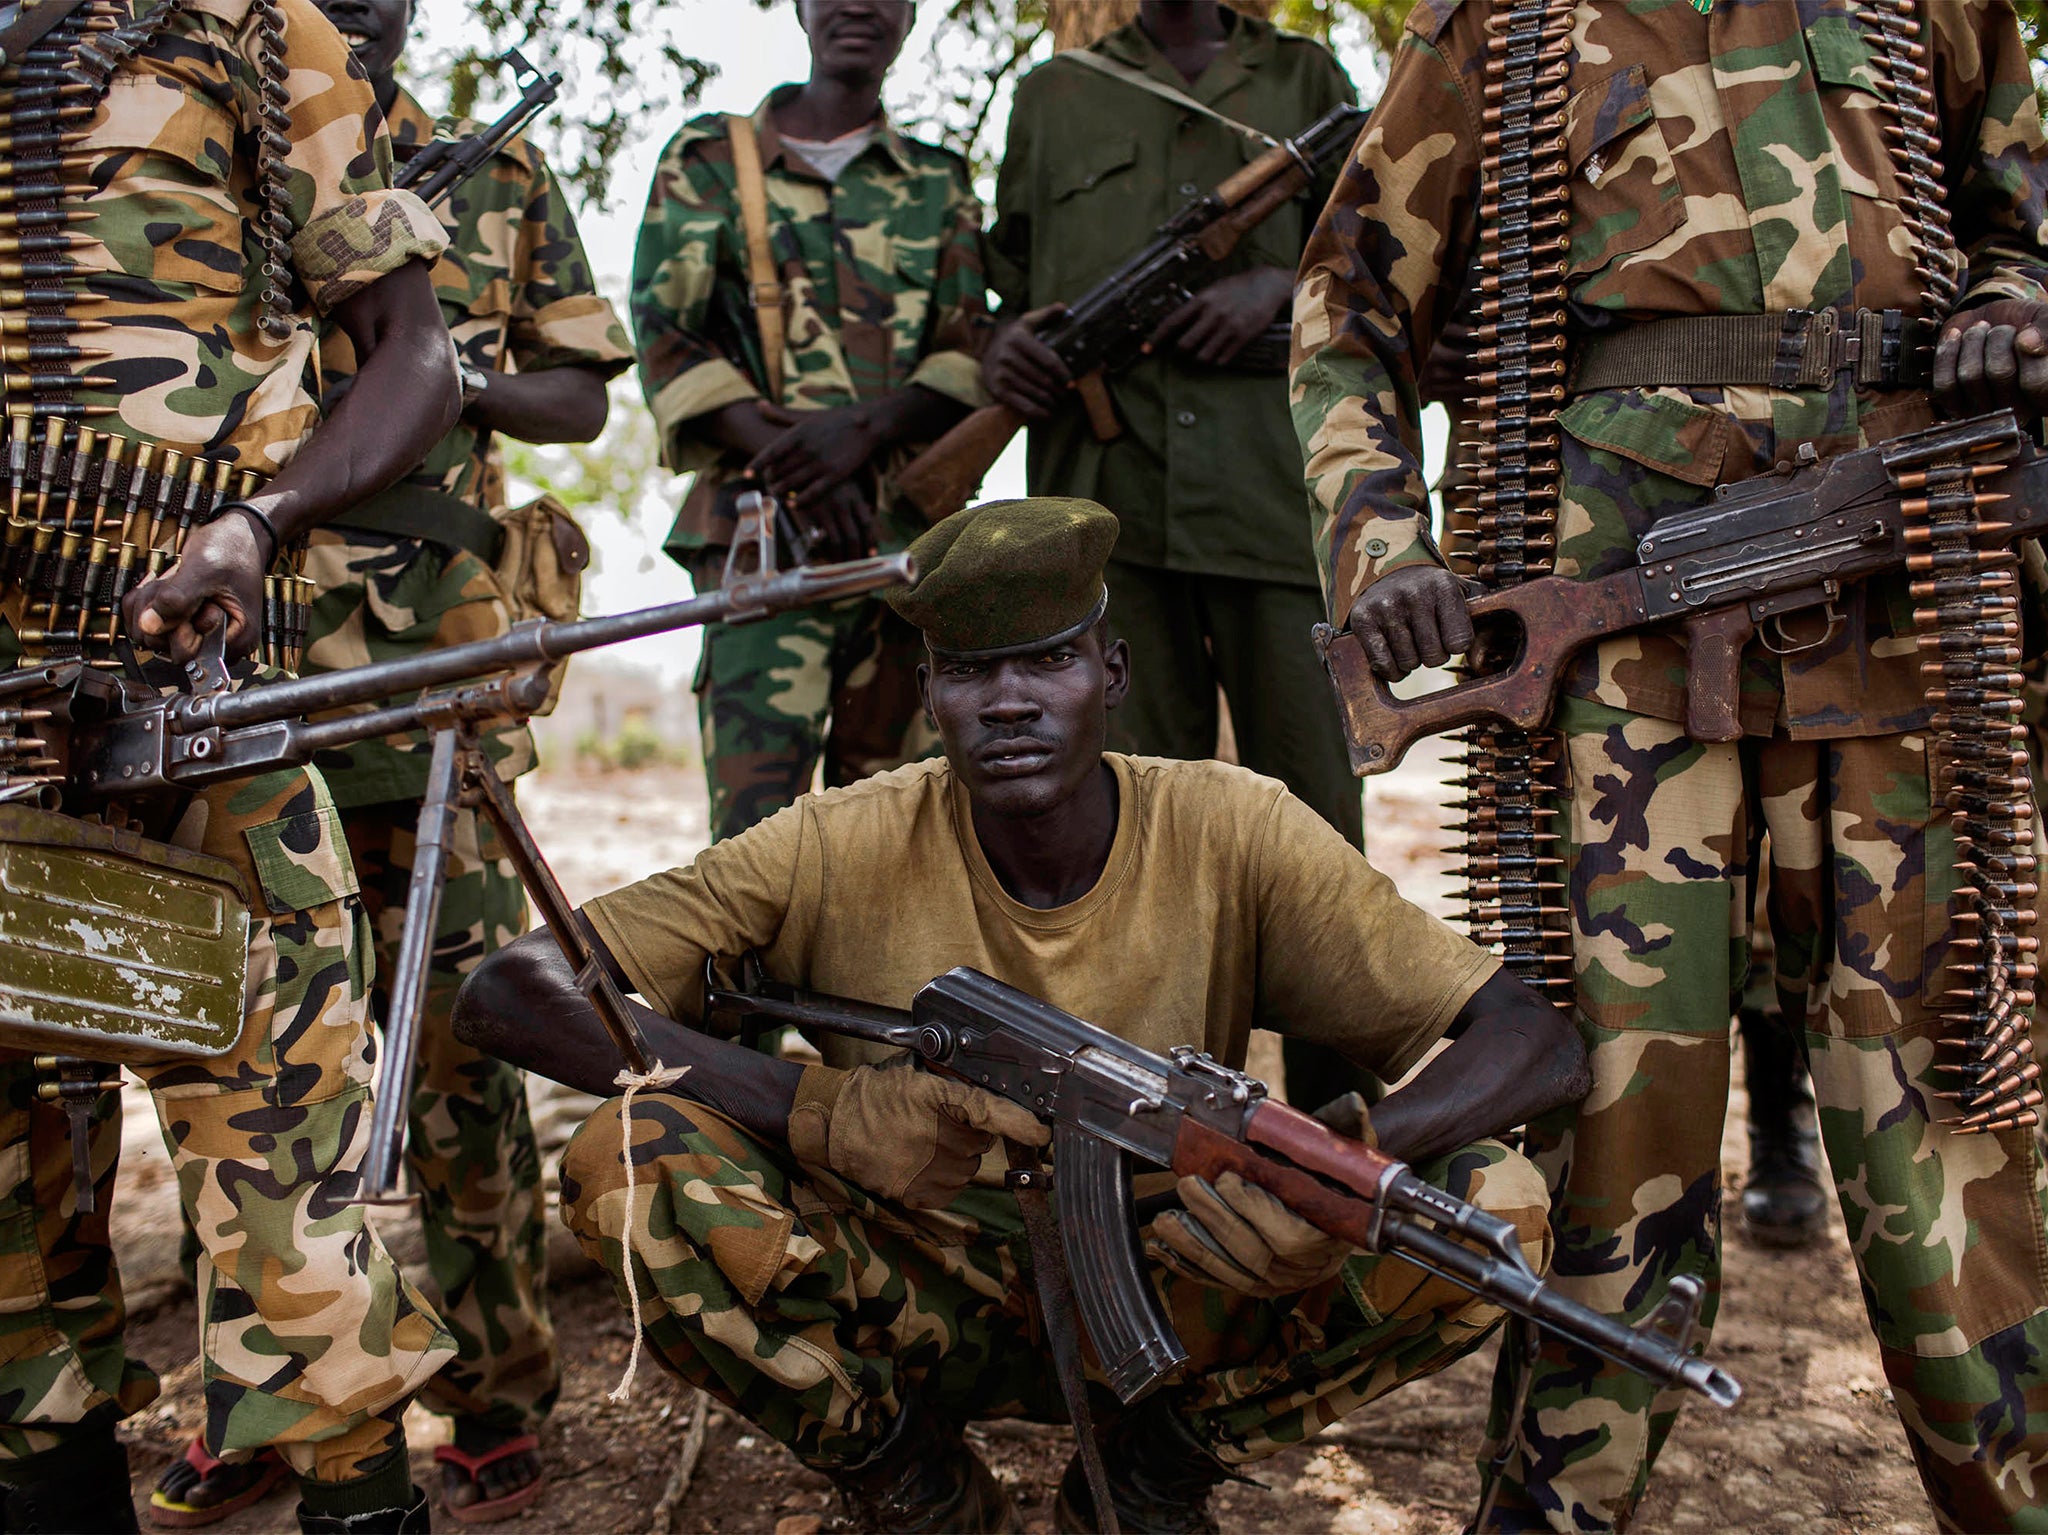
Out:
{"x": 310, "y": 1340}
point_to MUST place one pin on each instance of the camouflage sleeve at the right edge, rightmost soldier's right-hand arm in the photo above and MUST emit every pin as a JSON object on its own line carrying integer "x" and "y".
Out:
{"x": 1998, "y": 171}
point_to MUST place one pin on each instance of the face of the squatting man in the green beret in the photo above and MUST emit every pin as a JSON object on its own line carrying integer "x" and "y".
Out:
{"x": 1025, "y": 732}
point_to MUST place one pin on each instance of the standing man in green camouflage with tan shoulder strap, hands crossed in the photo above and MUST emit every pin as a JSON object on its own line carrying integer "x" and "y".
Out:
{"x": 810, "y": 345}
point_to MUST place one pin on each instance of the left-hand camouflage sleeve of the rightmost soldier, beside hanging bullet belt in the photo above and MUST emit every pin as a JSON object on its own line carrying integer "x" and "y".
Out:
{"x": 1377, "y": 283}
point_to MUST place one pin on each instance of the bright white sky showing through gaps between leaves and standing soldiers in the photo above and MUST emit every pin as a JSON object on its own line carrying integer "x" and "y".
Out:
{"x": 755, "y": 52}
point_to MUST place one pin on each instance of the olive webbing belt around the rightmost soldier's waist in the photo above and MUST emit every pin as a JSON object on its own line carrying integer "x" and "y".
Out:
{"x": 1801, "y": 349}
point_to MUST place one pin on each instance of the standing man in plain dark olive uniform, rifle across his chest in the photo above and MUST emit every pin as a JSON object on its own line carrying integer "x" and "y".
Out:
{"x": 1215, "y": 576}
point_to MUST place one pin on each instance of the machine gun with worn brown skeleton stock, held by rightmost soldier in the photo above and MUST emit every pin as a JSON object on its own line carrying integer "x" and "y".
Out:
{"x": 1758, "y": 554}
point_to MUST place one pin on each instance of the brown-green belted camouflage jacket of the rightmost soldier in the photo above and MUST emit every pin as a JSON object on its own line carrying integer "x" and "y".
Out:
{"x": 1721, "y": 165}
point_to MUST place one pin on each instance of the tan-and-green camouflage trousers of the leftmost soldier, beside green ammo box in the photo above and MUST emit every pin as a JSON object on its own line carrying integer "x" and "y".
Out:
{"x": 310, "y": 1337}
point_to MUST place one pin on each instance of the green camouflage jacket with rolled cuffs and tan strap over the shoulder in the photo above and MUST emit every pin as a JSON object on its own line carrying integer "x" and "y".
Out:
{"x": 884, "y": 288}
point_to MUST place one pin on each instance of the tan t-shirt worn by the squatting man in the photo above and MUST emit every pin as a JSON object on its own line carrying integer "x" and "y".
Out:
{"x": 1226, "y": 906}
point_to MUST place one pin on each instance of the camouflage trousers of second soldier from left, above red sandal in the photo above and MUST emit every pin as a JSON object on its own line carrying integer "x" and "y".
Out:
{"x": 470, "y": 1151}
